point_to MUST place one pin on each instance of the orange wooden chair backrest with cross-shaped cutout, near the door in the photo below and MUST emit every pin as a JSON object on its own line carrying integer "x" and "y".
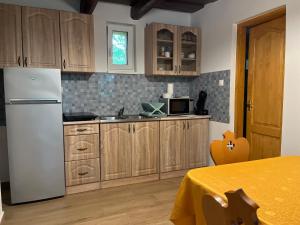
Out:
{"x": 229, "y": 150}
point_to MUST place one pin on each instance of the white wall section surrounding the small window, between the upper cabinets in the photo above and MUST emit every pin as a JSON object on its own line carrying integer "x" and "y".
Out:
{"x": 106, "y": 12}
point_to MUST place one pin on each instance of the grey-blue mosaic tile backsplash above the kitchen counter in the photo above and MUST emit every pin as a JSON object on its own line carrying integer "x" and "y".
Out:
{"x": 105, "y": 94}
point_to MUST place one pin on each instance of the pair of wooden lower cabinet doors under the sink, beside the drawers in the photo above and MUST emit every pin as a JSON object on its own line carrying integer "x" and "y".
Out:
{"x": 129, "y": 149}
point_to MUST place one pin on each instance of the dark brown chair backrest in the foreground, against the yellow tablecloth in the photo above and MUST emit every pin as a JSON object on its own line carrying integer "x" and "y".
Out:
{"x": 239, "y": 210}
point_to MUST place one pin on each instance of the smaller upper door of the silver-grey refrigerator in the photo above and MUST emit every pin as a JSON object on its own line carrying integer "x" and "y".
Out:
{"x": 31, "y": 83}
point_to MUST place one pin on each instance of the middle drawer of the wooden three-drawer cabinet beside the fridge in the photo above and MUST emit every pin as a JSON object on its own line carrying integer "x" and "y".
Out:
{"x": 81, "y": 147}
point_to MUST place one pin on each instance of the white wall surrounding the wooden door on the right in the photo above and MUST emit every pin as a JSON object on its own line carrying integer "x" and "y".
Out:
{"x": 218, "y": 25}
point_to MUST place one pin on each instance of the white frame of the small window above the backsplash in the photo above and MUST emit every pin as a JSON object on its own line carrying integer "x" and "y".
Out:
{"x": 130, "y": 30}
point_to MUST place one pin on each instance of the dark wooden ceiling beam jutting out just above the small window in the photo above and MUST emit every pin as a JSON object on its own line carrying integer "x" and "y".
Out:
{"x": 142, "y": 7}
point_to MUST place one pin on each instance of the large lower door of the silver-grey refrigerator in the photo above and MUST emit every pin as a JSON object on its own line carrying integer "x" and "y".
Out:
{"x": 35, "y": 149}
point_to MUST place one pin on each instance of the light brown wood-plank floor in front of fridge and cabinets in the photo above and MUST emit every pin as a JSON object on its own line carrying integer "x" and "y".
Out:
{"x": 140, "y": 204}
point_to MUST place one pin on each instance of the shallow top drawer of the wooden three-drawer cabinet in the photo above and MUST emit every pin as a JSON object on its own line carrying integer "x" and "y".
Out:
{"x": 81, "y": 129}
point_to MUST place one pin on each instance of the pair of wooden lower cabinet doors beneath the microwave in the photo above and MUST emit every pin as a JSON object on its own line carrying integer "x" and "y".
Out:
{"x": 183, "y": 144}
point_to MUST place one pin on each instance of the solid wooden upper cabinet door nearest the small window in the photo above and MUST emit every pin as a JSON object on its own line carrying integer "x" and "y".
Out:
{"x": 77, "y": 42}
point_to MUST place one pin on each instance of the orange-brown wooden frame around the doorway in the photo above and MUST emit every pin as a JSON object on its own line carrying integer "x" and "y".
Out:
{"x": 241, "y": 61}
